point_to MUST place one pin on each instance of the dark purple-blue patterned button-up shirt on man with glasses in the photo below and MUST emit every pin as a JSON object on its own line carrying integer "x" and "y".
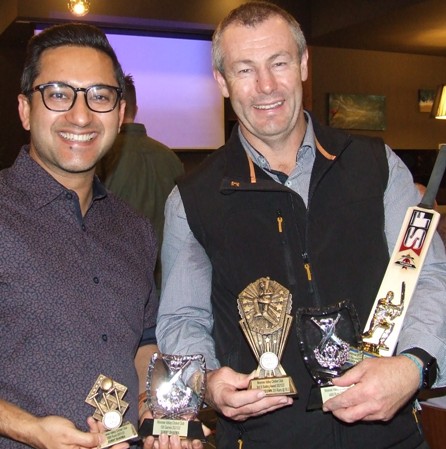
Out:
{"x": 75, "y": 293}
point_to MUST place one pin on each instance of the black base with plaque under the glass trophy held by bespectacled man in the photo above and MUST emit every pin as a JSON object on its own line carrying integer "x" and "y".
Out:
{"x": 191, "y": 430}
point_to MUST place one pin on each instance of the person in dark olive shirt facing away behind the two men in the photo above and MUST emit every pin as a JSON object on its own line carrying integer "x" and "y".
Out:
{"x": 140, "y": 170}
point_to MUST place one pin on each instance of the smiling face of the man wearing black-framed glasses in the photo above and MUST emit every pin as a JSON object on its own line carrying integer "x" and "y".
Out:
{"x": 69, "y": 144}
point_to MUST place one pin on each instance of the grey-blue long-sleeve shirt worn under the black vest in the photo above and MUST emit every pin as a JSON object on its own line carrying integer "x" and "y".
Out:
{"x": 185, "y": 317}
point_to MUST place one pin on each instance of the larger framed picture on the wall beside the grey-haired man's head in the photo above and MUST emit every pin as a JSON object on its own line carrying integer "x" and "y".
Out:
{"x": 352, "y": 111}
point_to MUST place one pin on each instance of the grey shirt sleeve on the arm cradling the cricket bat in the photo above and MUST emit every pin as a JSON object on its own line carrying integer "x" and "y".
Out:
{"x": 424, "y": 321}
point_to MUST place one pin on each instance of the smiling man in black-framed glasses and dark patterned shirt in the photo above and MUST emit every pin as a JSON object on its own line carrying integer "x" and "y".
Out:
{"x": 76, "y": 264}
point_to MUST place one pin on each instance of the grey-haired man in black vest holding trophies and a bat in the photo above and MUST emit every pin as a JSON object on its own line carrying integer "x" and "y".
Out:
{"x": 316, "y": 210}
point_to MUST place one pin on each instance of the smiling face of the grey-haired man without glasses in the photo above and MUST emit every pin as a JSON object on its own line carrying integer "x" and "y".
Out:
{"x": 263, "y": 78}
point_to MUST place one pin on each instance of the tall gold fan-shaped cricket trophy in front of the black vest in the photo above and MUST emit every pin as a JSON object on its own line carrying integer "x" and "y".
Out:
{"x": 265, "y": 308}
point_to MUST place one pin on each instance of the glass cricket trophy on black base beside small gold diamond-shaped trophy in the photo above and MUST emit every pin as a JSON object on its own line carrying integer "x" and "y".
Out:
{"x": 175, "y": 391}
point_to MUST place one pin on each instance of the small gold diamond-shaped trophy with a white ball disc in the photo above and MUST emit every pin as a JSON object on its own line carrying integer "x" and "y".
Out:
{"x": 106, "y": 397}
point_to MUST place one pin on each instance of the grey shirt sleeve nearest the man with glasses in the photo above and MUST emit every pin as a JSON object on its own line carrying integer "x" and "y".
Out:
{"x": 185, "y": 319}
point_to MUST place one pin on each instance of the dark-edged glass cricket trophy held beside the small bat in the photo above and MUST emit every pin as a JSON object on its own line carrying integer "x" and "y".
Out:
{"x": 330, "y": 343}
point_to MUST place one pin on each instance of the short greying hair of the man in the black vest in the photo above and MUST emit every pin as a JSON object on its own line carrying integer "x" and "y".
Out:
{"x": 249, "y": 15}
